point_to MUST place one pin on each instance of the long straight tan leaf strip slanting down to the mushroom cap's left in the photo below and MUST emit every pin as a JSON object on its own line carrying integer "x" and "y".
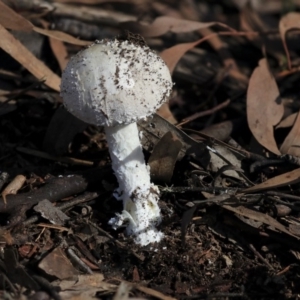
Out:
{"x": 21, "y": 54}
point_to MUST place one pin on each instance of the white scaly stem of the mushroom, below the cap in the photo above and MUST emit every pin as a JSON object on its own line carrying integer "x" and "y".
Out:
{"x": 139, "y": 195}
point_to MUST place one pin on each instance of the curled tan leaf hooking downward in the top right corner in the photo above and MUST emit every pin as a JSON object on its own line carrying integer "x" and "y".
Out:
{"x": 288, "y": 22}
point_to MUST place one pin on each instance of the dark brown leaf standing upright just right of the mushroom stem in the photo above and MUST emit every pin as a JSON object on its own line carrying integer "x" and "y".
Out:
{"x": 164, "y": 156}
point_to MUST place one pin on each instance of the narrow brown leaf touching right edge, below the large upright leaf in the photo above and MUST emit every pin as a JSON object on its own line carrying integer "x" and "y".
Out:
{"x": 291, "y": 177}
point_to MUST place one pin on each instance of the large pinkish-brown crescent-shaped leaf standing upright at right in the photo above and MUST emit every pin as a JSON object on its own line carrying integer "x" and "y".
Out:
{"x": 264, "y": 107}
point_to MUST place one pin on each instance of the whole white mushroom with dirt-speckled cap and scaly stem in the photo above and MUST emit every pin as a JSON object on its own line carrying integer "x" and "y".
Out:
{"x": 115, "y": 83}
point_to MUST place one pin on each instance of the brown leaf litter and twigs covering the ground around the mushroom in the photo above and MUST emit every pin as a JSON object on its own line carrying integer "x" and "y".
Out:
{"x": 230, "y": 198}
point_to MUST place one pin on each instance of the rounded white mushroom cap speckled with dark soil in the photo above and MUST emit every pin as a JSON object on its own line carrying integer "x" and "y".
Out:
{"x": 115, "y": 82}
